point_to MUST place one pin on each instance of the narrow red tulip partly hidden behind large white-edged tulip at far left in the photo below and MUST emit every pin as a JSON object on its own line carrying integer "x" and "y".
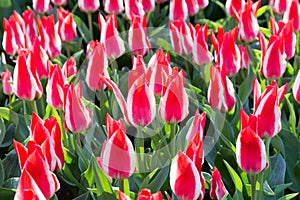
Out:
{"x": 39, "y": 58}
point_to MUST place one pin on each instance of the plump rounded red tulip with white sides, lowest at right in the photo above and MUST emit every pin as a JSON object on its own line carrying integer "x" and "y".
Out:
{"x": 250, "y": 151}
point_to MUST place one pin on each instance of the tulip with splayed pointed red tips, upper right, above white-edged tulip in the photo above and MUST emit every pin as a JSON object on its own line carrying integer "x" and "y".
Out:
{"x": 228, "y": 54}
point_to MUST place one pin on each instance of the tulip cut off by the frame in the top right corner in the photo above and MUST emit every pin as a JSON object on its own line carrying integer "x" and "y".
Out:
{"x": 293, "y": 14}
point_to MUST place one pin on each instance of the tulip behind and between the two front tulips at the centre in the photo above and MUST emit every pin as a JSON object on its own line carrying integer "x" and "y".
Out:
{"x": 158, "y": 70}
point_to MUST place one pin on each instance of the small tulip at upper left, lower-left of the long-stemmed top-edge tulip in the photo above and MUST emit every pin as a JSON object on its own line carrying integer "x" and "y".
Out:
{"x": 66, "y": 25}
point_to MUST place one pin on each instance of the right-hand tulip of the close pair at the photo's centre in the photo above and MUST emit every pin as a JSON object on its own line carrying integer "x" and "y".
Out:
{"x": 174, "y": 103}
